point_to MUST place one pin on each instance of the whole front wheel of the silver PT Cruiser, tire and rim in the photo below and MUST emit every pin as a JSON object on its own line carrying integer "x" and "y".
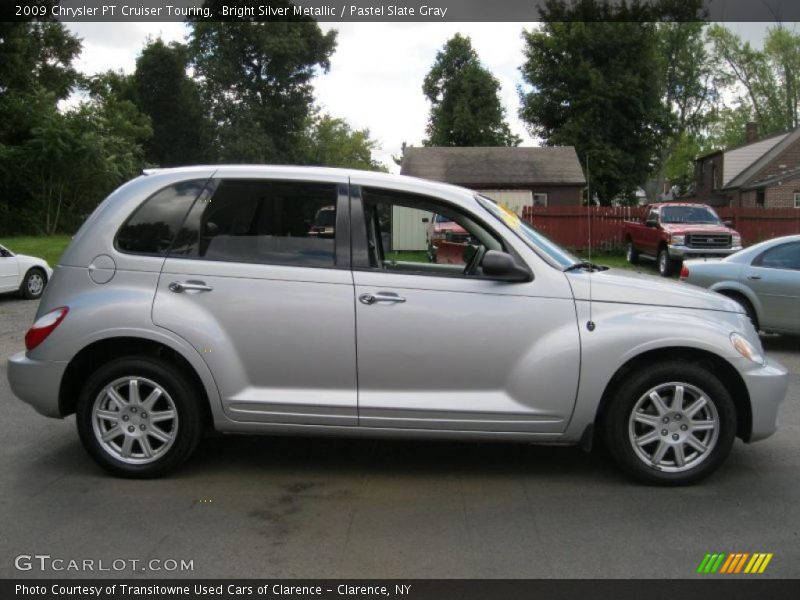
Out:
{"x": 671, "y": 424}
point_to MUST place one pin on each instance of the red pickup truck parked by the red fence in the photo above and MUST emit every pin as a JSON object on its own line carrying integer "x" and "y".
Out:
{"x": 670, "y": 232}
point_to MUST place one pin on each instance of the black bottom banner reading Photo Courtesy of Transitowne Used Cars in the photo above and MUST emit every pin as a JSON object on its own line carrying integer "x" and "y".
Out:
{"x": 734, "y": 588}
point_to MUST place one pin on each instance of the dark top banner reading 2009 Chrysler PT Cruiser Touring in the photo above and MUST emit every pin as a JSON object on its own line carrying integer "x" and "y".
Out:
{"x": 389, "y": 11}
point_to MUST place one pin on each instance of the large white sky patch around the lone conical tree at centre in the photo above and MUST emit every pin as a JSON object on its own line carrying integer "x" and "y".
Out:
{"x": 377, "y": 71}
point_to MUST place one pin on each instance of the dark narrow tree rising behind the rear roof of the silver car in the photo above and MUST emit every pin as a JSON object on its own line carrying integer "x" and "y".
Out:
{"x": 163, "y": 91}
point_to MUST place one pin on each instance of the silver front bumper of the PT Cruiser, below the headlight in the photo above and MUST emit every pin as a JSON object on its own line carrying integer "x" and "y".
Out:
{"x": 767, "y": 387}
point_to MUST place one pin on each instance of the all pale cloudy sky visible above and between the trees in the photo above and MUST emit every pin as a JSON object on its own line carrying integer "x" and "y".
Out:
{"x": 376, "y": 74}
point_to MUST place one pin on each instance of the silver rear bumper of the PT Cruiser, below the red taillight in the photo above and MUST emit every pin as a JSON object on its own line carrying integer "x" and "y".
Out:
{"x": 37, "y": 382}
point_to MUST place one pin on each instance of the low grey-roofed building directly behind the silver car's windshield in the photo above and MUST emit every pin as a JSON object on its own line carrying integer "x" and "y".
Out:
{"x": 549, "y": 176}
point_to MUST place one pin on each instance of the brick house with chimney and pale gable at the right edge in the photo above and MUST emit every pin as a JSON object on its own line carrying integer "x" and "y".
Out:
{"x": 762, "y": 172}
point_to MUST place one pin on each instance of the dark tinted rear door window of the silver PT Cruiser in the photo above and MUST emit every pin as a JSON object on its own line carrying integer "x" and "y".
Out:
{"x": 265, "y": 222}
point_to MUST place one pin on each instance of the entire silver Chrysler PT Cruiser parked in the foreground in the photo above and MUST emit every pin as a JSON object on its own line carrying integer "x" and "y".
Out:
{"x": 206, "y": 297}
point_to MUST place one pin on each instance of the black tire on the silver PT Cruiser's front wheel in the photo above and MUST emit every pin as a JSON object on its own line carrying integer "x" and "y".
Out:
{"x": 618, "y": 428}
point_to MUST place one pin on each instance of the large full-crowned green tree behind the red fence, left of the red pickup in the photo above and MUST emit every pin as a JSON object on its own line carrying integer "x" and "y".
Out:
{"x": 595, "y": 86}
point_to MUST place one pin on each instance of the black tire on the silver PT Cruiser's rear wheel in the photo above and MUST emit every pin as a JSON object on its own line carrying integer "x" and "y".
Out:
{"x": 179, "y": 390}
